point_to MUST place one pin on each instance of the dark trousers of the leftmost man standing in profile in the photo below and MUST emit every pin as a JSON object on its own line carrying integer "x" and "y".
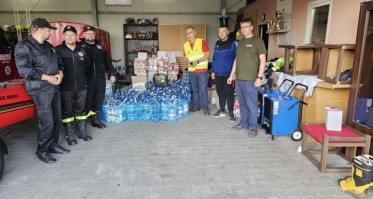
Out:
{"x": 48, "y": 107}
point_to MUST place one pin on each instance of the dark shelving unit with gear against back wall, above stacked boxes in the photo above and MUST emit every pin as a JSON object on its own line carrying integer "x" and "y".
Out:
{"x": 139, "y": 38}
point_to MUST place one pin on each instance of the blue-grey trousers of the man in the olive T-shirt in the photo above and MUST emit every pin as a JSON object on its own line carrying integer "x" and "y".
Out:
{"x": 247, "y": 95}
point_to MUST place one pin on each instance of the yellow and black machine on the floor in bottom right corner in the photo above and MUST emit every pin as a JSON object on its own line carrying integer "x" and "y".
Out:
{"x": 360, "y": 181}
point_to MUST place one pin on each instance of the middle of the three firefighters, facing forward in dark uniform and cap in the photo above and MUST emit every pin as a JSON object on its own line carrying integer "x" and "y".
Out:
{"x": 73, "y": 87}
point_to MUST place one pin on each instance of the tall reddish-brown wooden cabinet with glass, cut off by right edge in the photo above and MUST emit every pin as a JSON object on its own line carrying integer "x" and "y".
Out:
{"x": 359, "y": 115}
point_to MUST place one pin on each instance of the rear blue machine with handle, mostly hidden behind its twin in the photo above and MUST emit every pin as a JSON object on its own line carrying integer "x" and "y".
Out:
{"x": 270, "y": 93}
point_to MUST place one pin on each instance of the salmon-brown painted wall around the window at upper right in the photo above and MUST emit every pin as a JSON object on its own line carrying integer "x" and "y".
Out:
{"x": 343, "y": 24}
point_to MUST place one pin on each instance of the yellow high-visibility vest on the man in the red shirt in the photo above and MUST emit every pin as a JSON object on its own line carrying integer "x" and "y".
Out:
{"x": 195, "y": 54}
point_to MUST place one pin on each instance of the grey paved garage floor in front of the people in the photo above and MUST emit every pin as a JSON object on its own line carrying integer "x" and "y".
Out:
{"x": 196, "y": 157}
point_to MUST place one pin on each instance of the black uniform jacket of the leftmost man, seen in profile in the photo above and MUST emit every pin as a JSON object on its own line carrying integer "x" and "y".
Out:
{"x": 33, "y": 60}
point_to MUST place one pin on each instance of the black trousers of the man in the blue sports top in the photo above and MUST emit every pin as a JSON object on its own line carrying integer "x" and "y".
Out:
{"x": 225, "y": 92}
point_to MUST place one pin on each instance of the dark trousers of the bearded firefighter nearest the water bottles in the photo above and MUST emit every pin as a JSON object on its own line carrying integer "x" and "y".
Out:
{"x": 95, "y": 94}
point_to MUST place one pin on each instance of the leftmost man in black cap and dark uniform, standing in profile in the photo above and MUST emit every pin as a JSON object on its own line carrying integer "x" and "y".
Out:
{"x": 38, "y": 62}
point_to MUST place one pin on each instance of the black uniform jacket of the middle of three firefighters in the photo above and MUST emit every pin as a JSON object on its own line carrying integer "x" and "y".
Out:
{"x": 76, "y": 63}
